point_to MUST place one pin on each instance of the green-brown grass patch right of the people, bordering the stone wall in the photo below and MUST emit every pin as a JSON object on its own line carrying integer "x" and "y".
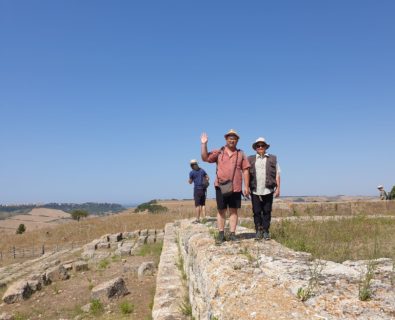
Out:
{"x": 357, "y": 238}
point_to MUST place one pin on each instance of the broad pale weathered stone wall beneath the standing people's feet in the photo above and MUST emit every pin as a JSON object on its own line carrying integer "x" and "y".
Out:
{"x": 261, "y": 280}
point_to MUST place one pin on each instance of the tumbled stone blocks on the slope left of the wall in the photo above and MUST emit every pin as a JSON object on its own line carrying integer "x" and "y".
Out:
{"x": 22, "y": 280}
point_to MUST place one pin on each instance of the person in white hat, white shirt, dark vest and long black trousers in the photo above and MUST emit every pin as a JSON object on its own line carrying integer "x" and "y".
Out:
{"x": 264, "y": 184}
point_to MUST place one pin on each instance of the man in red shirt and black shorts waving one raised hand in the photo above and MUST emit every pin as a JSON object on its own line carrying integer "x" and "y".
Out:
{"x": 232, "y": 164}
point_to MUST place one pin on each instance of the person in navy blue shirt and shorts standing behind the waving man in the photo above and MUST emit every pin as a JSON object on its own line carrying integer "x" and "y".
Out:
{"x": 200, "y": 180}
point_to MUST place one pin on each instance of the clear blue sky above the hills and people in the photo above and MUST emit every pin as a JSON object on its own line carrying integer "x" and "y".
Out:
{"x": 106, "y": 100}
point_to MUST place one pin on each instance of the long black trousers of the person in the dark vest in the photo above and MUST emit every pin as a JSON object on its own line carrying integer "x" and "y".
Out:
{"x": 262, "y": 208}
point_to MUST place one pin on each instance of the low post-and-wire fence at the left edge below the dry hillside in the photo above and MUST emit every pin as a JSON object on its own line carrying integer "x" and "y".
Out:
{"x": 15, "y": 252}
